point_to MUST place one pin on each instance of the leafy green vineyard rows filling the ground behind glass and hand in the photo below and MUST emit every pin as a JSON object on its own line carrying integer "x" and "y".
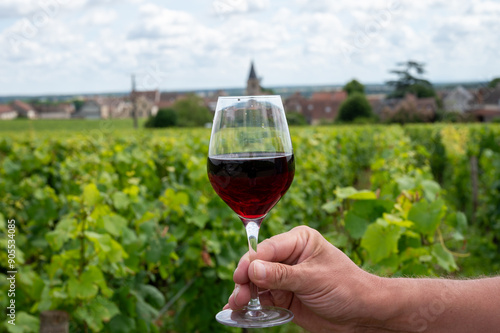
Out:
{"x": 122, "y": 230}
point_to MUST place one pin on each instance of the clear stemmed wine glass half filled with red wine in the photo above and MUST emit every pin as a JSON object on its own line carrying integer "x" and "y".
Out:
{"x": 251, "y": 166}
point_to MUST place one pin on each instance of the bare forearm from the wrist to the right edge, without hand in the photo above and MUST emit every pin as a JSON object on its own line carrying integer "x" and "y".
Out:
{"x": 435, "y": 305}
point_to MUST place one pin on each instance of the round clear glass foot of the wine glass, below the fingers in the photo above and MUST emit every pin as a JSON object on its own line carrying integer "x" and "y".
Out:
{"x": 266, "y": 317}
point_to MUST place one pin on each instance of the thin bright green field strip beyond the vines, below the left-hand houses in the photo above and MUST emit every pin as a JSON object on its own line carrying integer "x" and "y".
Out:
{"x": 43, "y": 125}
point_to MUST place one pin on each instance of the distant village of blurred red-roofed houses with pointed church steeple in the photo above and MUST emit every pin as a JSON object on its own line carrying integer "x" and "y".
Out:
{"x": 479, "y": 104}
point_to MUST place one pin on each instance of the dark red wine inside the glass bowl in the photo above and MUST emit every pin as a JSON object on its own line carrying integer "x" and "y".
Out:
{"x": 251, "y": 183}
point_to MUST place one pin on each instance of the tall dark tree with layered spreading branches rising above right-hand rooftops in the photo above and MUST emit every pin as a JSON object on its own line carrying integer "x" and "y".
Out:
{"x": 410, "y": 81}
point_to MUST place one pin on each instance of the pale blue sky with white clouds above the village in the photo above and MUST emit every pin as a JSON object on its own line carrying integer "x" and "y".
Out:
{"x": 94, "y": 46}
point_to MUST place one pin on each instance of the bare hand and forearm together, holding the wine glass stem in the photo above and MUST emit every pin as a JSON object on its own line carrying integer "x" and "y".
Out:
{"x": 301, "y": 271}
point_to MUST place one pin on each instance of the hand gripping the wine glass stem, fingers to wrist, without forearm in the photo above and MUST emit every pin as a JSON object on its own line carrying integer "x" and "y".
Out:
{"x": 301, "y": 271}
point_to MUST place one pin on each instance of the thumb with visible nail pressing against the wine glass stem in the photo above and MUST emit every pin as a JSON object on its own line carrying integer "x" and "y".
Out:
{"x": 272, "y": 275}
